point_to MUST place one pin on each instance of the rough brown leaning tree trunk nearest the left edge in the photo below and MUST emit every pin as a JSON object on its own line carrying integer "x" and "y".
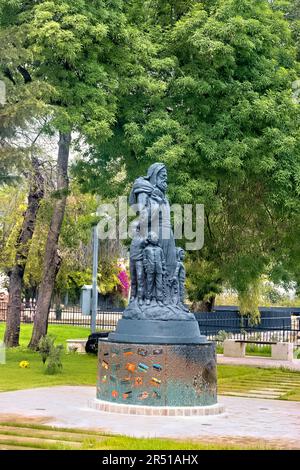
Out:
{"x": 36, "y": 194}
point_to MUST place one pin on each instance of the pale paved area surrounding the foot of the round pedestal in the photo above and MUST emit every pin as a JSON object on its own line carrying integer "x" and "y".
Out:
{"x": 245, "y": 420}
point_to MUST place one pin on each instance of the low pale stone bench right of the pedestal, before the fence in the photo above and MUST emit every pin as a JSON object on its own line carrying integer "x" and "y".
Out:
{"x": 280, "y": 351}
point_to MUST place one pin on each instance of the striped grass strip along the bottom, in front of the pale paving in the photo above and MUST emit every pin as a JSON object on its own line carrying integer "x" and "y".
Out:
{"x": 34, "y": 436}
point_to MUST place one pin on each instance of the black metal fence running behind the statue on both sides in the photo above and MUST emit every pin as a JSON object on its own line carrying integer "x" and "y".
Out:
{"x": 274, "y": 326}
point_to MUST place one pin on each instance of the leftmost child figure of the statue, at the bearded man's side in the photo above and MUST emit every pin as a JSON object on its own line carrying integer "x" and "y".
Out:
{"x": 136, "y": 265}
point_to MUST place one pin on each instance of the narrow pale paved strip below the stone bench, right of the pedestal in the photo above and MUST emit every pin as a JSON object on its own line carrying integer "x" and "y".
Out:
{"x": 259, "y": 362}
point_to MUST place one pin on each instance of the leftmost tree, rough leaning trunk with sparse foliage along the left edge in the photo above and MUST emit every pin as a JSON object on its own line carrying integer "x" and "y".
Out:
{"x": 21, "y": 121}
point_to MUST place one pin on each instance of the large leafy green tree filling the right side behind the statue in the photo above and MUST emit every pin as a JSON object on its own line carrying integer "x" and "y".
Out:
{"x": 228, "y": 129}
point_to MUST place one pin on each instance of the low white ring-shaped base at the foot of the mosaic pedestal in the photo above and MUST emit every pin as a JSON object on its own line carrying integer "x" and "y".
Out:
{"x": 109, "y": 407}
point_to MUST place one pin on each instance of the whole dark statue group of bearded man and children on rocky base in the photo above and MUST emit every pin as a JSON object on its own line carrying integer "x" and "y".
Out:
{"x": 155, "y": 264}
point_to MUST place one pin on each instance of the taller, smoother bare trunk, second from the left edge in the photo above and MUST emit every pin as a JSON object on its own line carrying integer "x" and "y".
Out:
{"x": 52, "y": 260}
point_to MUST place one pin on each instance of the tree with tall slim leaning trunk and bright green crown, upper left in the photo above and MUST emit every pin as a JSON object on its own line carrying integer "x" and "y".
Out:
{"x": 86, "y": 52}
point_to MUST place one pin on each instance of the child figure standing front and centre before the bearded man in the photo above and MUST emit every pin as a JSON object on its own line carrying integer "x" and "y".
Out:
{"x": 155, "y": 266}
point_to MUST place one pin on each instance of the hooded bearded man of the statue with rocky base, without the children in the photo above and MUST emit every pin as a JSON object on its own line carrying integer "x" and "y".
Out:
{"x": 148, "y": 198}
